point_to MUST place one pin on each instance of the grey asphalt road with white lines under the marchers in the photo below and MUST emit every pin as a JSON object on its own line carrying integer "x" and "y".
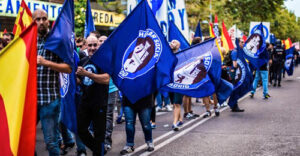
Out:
{"x": 267, "y": 128}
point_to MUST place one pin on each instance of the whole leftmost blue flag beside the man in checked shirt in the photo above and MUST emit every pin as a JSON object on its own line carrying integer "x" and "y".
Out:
{"x": 61, "y": 42}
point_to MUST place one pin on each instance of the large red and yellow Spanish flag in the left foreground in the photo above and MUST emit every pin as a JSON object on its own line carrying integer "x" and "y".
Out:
{"x": 18, "y": 94}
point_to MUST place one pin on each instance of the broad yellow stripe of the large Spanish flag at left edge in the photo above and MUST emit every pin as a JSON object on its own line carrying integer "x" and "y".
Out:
{"x": 13, "y": 81}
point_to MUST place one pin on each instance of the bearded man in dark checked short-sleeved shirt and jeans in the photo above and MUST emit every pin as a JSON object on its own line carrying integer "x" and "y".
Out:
{"x": 48, "y": 69}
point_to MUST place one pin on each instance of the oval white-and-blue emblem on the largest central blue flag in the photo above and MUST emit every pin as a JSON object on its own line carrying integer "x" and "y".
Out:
{"x": 141, "y": 55}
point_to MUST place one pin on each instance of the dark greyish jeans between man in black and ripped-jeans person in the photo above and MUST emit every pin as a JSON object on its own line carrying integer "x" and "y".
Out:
{"x": 113, "y": 100}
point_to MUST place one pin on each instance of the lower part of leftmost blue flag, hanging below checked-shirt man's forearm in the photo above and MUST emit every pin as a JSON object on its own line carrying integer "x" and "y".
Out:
{"x": 68, "y": 103}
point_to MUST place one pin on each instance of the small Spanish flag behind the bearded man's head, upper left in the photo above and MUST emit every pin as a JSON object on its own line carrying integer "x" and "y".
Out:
{"x": 23, "y": 20}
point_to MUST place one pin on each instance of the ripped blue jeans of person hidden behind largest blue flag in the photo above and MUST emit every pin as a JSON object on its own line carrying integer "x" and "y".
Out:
{"x": 130, "y": 118}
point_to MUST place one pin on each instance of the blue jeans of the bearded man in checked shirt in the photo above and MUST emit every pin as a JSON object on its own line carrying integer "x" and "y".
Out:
{"x": 49, "y": 115}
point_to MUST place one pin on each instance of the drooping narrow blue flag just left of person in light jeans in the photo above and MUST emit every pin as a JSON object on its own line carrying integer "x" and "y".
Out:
{"x": 242, "y": 82}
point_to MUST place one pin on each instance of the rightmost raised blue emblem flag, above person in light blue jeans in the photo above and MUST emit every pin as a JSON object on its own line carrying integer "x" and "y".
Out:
{"x": 255, "y": 48}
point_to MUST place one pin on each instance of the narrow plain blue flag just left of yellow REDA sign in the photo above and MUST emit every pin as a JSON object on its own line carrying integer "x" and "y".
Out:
{"x": 89, "y": 22}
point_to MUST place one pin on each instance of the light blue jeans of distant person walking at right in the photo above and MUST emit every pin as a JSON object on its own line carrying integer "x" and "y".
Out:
{"x": 264, "y": 75}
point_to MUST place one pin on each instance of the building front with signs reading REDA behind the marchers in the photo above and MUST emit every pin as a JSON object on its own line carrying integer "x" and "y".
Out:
{"x": 104, "y": 21}
